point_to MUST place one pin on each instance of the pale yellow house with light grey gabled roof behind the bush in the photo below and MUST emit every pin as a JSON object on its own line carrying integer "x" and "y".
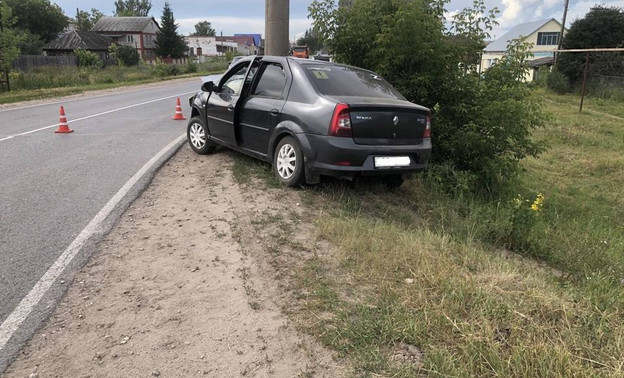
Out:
{"x": 544, "y": 35}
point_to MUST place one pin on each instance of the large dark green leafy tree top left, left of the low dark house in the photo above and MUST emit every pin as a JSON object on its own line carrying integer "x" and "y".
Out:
{"x": 43, "y": 20}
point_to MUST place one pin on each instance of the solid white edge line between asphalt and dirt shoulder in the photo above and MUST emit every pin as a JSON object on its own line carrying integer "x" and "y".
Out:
{"x": 28, "y": 303}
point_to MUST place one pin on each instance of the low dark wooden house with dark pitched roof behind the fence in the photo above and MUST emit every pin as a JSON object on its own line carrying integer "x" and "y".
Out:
{"x": 68, "y": 42}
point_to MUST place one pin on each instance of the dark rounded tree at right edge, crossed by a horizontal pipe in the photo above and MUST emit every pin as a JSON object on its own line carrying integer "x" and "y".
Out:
{"x": 602, "y": 27}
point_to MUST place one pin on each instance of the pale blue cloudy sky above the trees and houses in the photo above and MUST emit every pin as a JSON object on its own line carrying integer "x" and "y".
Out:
{"x": 247, "y": 16}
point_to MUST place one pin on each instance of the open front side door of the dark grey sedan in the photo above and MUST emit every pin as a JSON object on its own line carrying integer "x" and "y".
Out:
{"x": 224, "y": 101}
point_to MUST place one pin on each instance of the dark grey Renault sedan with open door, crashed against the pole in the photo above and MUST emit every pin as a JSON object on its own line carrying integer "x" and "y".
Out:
{"x": 311, "y": 118}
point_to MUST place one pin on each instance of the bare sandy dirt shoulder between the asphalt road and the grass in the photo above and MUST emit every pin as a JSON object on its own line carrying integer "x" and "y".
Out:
{"x": 184, "y": 285}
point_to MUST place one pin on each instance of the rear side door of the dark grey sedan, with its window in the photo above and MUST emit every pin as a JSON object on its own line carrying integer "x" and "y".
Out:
{"x": 261, "y": 111}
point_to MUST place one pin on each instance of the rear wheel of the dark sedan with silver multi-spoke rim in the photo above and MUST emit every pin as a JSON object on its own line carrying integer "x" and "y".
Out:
{"x": 288, "y": 163}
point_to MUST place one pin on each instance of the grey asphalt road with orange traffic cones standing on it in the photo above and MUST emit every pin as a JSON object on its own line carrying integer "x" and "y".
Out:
{"x": 53, "y": 185}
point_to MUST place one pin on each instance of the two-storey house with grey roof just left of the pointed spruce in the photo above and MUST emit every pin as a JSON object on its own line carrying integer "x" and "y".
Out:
{"x": 137, "y": 32}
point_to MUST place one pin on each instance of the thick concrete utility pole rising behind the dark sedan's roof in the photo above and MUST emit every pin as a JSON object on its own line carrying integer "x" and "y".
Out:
{"x": 276, "y": 31}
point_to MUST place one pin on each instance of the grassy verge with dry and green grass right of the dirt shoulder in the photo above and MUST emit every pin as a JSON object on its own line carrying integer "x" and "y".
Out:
{"x": 423, "y": 282}
